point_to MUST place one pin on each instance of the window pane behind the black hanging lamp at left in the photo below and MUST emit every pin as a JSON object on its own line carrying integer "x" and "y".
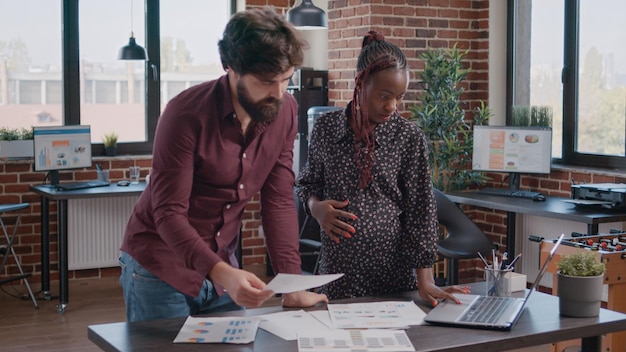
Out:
{"x": 112, "y": 91}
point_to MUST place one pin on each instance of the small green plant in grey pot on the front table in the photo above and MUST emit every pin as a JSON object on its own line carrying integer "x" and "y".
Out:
{"x": 579, "y": 283}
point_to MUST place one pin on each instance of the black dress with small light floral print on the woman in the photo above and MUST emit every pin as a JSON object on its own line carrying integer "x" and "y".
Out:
{"x": 396, "y": 226}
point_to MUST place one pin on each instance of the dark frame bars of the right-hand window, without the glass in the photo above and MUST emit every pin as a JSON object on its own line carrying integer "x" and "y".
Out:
{"x": 569, "y": 79}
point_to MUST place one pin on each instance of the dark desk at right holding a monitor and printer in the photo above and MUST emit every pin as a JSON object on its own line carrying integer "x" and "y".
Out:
{"x": 552, "y": 207}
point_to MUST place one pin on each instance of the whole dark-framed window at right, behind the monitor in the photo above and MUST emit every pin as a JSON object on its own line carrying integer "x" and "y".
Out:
{"x": 566, "y": 55}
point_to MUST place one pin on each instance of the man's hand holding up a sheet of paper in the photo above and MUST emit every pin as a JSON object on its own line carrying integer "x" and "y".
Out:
{"x": 245, "y": 288}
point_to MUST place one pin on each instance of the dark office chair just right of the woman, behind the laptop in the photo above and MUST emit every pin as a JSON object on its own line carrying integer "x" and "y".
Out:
{"x": 464, "y": 238}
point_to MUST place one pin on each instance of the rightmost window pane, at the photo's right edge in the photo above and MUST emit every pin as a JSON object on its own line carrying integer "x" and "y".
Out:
{"x": 601, "y": 78}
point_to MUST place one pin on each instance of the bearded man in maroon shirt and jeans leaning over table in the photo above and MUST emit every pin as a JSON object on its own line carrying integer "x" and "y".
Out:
{"x": 218, "y": 144}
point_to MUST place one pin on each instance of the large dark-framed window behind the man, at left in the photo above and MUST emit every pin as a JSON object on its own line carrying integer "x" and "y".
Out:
{"x": 90, "y": 85}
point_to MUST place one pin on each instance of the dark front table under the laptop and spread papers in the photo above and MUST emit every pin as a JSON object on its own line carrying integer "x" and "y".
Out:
{"x": 540, "y": 324}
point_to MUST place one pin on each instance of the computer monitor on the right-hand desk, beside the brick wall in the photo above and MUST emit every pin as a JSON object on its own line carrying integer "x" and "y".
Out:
{"x": 512, "y": 149}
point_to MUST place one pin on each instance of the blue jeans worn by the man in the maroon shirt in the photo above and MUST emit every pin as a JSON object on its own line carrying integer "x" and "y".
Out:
{"x": 147, "y": 297}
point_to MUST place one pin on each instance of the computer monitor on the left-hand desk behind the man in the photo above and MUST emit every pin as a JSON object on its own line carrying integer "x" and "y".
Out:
{"x": 61, "y": 148}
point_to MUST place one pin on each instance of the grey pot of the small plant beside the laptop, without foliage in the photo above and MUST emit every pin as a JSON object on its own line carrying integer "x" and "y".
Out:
{"x": 580, "y": 296}
